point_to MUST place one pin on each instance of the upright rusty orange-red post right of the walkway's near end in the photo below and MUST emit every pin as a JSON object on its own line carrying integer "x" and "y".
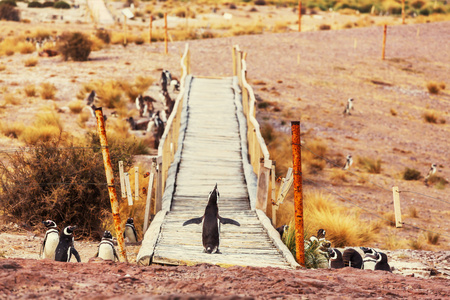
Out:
{"x": 298, "y": 192}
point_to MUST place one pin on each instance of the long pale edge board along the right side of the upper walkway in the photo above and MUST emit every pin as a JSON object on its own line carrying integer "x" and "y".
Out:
{"x": 250, "y": 176}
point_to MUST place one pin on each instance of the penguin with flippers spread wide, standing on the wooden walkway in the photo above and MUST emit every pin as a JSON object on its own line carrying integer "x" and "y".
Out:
{"x": 211, "y": 223}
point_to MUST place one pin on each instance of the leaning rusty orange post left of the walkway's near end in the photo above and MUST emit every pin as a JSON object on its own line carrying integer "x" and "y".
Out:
{"x": 111, "y": 186}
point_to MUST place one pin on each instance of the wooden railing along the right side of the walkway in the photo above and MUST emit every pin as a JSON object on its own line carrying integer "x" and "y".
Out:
{"x": 258, "y": 153}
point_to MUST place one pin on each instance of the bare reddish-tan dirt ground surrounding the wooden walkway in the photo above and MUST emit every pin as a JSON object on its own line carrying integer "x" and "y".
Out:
{"x": 306, "y": 77}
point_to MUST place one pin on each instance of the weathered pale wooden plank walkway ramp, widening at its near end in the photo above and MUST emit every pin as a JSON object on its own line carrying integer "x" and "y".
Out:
{"x": 210, "y": 154}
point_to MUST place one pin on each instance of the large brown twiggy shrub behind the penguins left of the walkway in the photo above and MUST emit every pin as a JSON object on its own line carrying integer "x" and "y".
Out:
{"x": 67, "y": 185}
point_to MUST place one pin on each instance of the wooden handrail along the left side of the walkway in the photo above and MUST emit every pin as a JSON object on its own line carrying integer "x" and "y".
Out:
{"x": 169, "y": 141}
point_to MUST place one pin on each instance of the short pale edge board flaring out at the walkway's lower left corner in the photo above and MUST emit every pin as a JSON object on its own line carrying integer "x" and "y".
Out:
{"x": 144, "y": 257}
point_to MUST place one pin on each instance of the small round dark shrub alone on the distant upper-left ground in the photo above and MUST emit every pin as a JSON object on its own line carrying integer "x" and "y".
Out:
{"x": 76, "y": 46}
